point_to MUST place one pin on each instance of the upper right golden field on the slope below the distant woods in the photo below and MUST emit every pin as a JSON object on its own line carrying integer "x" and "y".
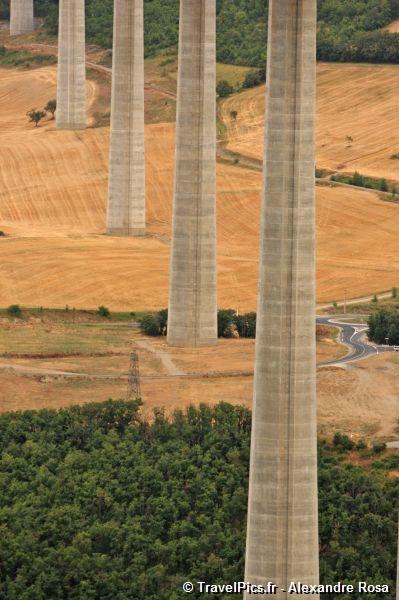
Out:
{"x": 357, "y": 119}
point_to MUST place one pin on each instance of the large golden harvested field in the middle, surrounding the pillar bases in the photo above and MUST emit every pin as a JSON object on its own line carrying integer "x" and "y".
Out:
{"x": 52, "y": 207}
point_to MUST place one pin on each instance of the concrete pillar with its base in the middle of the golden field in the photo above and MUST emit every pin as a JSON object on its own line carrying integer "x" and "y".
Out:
{"x": 126, "y": 196}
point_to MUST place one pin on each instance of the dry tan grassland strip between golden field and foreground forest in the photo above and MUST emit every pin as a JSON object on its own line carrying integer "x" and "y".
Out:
{"x": 346, "y": 398}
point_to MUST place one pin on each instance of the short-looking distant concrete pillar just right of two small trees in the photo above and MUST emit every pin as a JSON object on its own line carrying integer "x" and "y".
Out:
{"x": 71, "y": 86}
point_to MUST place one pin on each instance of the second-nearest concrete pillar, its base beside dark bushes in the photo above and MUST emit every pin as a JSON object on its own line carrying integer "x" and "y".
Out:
{"x": 192, "y": 318}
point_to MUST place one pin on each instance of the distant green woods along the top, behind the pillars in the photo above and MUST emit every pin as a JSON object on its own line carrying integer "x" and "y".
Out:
{"x": 349, "y": 30}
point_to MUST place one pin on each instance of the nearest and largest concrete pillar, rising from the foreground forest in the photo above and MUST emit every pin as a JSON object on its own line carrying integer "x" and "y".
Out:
{"x": 282, "y": 535}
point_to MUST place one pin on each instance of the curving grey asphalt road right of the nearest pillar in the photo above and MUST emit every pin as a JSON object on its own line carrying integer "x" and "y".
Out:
{"x": 353, "y": 335}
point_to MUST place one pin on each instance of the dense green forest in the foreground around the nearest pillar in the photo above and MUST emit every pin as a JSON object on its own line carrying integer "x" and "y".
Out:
{"x": 97, "y": 503}
